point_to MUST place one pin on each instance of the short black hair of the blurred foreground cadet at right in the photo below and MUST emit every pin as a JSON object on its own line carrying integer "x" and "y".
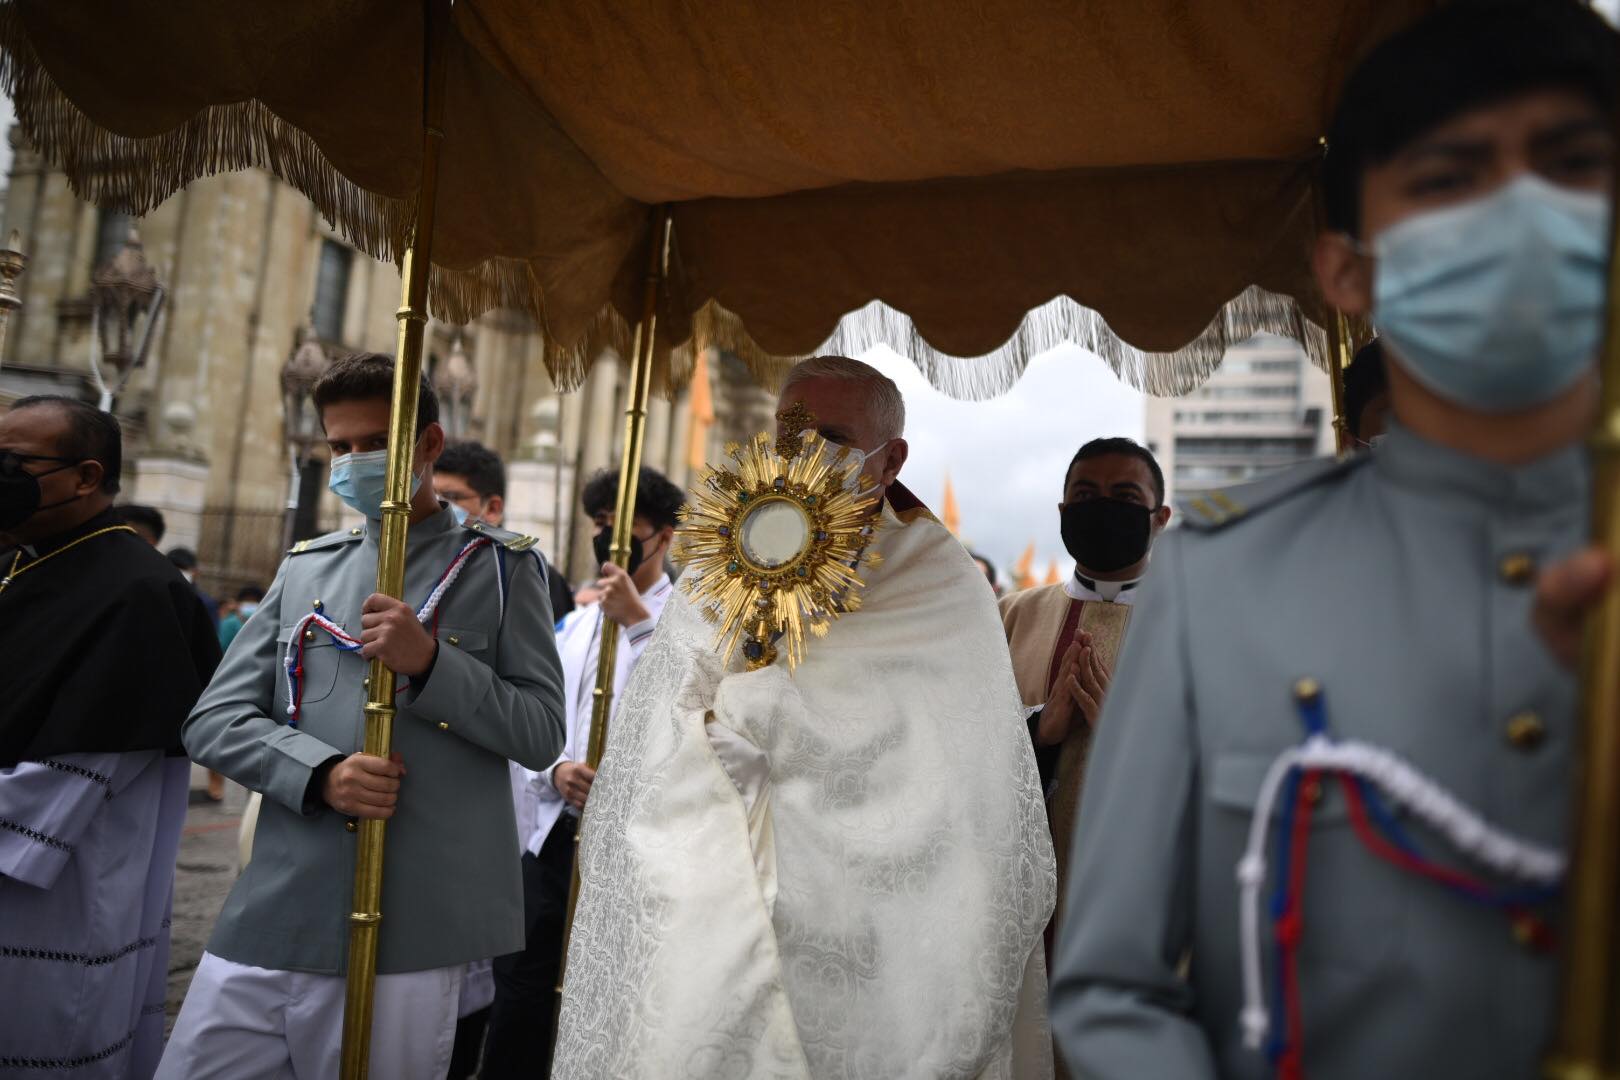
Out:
{"x": 1465, "y": 56}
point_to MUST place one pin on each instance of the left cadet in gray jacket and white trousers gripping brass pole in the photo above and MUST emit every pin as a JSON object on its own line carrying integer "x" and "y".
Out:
{"x": 480, "y": 684}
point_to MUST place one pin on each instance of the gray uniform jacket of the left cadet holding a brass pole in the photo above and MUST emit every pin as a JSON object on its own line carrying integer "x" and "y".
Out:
{"x": 451, "y": 888}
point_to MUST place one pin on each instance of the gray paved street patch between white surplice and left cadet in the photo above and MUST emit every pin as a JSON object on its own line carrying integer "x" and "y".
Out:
{"x": 203, "y": 877}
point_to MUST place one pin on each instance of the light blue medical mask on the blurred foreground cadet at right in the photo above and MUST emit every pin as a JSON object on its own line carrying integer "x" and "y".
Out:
{"x": 1498, "y": 305}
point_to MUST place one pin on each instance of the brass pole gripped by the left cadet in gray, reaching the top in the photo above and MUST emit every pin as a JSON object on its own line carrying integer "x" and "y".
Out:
{"x": 367, "y": 916}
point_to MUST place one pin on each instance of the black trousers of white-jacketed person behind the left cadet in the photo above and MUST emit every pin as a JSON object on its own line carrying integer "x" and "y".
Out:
{"x": 524, "y": 1018}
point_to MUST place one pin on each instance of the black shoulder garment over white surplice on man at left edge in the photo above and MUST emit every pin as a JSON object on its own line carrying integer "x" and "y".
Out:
{"x": 103, "y": 648}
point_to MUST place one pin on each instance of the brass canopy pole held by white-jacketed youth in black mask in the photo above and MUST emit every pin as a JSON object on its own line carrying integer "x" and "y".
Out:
{"x": 623, "y": 519}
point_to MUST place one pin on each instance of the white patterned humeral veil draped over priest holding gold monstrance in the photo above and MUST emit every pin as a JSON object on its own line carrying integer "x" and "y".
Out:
{"x": 871, "y": 901}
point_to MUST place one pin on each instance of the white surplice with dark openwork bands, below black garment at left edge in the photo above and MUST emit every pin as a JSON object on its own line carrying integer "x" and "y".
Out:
{"x": 88, "y": 846}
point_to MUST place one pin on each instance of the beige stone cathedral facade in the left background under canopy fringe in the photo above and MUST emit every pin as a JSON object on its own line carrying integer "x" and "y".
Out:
{"x": 250, "y": 274}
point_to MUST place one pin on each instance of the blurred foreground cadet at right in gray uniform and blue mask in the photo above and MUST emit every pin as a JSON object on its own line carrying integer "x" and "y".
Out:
{"x": 1467, "y": 182}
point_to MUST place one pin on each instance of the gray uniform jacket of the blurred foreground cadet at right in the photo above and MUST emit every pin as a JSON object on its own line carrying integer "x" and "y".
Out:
{"x": 1400, "y": 580}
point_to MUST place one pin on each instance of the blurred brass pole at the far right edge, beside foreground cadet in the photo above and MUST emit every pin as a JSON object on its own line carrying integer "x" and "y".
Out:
{"x": 1588, "y": 1042}
